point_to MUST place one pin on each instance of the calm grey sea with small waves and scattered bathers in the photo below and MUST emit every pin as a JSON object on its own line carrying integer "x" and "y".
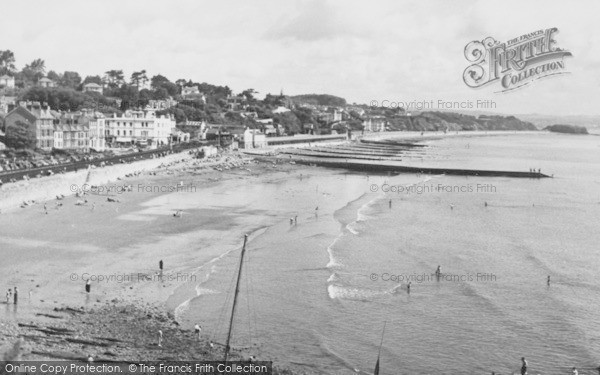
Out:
{"x": 315, "y": 294}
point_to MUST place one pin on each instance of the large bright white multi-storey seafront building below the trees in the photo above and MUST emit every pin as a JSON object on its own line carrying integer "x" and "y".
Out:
{"x": 142, "y": 127}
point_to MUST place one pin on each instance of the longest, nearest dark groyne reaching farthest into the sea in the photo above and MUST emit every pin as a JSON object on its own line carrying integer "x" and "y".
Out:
{"x": 390, "y": 167}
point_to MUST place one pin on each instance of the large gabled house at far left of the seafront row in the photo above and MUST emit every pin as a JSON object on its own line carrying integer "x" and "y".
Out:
{"x": 30, "y": 121}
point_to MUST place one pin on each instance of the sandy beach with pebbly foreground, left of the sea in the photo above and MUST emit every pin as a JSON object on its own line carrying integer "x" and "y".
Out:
{"x": 115, "y": 236}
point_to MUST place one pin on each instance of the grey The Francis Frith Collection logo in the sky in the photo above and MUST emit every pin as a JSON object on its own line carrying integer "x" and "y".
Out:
{"x": 515, "y": 63}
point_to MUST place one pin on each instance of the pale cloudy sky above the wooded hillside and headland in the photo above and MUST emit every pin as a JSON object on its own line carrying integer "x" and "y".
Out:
{"x": 397, "y": 50}
